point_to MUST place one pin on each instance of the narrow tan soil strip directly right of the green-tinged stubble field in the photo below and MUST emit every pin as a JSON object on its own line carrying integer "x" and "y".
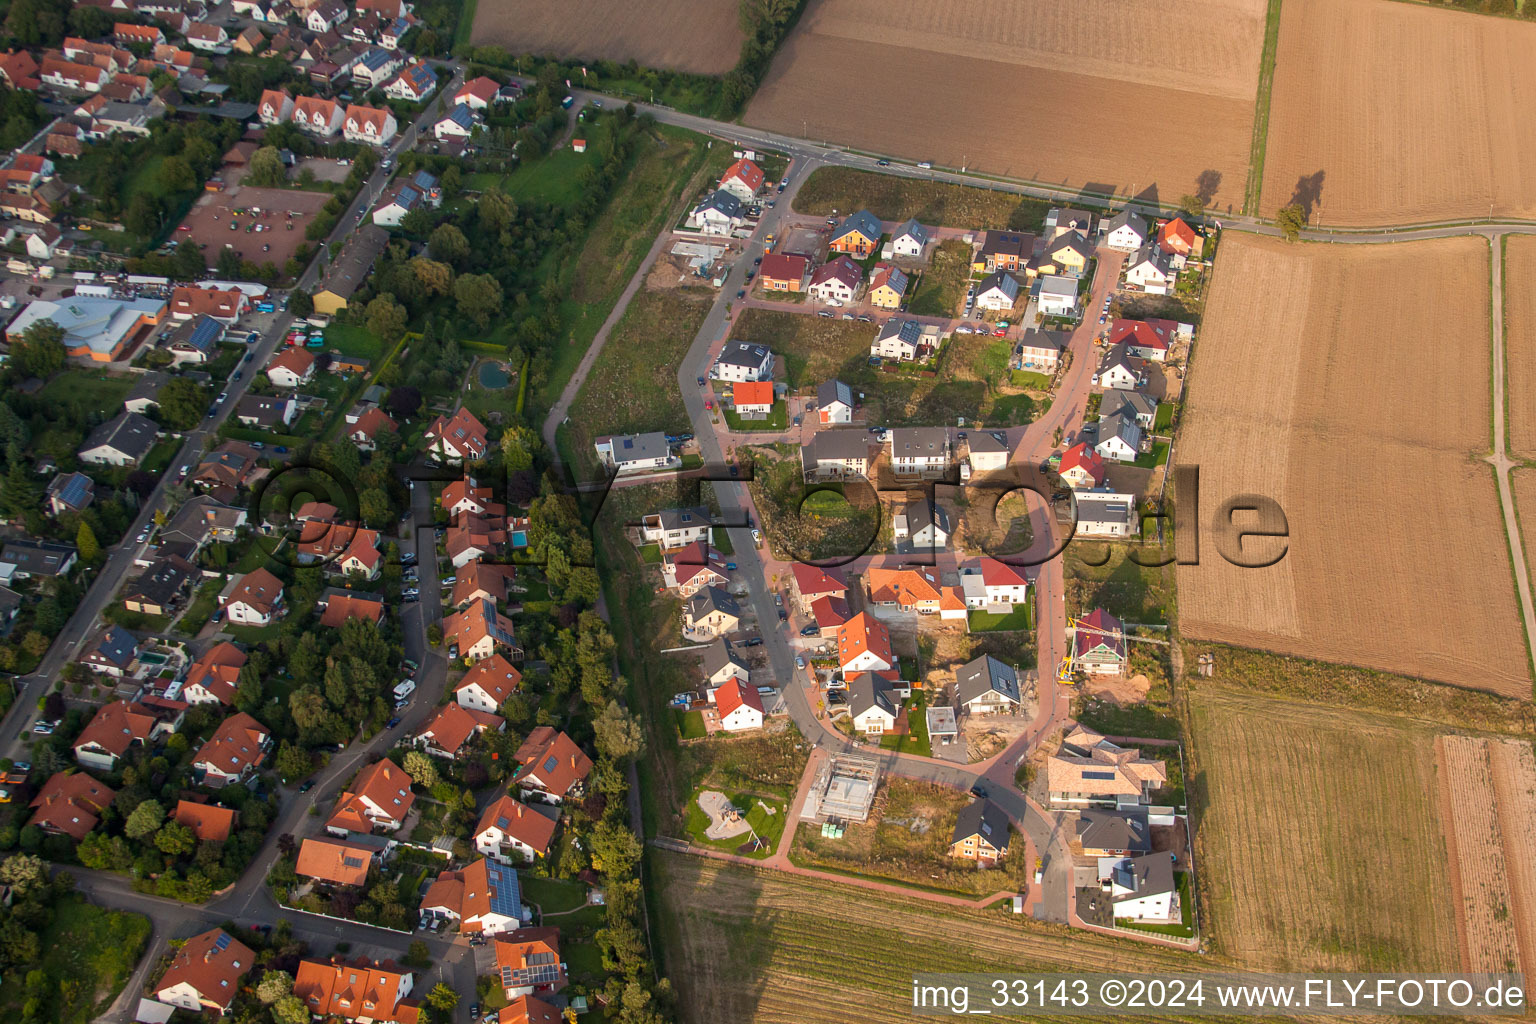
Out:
{"x": 1481, "y": 877}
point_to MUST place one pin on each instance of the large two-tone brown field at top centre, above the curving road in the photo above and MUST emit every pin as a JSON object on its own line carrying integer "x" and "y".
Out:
{"x": 1010, "y": 70}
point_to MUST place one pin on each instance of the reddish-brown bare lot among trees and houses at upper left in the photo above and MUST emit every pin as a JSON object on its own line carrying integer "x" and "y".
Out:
{"x": 285, "y": 216}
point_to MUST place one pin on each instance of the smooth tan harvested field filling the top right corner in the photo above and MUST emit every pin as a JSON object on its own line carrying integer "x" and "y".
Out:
{"x": 1400, "y": 113}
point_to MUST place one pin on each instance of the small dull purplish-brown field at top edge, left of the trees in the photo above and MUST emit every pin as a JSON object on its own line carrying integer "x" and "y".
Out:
{"x": 697, "y": 36}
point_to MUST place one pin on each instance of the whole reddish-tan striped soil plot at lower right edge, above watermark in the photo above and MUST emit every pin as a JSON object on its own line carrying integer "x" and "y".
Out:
{"x": 1485, "y": 845}
